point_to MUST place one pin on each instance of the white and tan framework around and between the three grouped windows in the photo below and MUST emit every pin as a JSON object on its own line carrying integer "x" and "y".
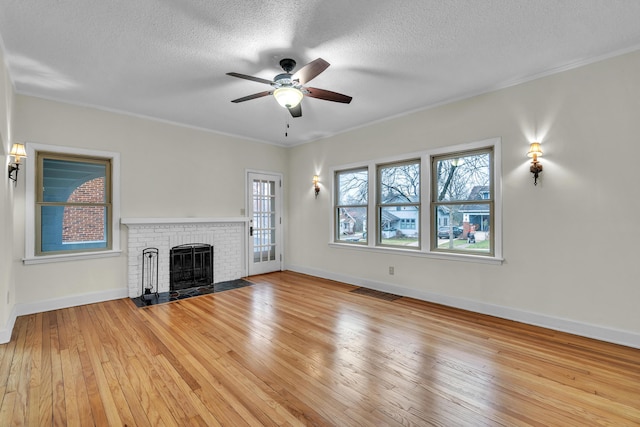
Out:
{"x": 426, "y": 236}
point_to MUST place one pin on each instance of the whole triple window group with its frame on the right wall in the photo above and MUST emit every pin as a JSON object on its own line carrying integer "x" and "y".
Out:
{"x": 443, "y": 203}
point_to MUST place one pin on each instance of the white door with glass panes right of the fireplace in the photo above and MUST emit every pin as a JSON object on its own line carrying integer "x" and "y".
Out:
{"x": 265, "y": 222}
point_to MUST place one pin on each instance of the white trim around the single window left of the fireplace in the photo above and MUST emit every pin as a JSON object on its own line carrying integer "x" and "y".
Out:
{"x": 30, "y": 221}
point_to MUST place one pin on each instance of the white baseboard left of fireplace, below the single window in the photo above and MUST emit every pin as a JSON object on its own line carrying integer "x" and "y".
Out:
{"x": 55, "y": 304}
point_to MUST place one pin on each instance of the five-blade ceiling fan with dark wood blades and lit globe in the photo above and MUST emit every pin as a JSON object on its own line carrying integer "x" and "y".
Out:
{"x": 289, "y": 88}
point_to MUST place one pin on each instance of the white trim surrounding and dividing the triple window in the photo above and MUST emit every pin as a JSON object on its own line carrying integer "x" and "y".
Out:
{"x": 425, "y": 197}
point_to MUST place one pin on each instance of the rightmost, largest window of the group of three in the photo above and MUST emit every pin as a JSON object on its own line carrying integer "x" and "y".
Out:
{"x": 461, "y": 200}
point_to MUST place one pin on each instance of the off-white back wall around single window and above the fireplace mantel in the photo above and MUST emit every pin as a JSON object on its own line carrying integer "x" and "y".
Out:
{"x": 167, "y": 171}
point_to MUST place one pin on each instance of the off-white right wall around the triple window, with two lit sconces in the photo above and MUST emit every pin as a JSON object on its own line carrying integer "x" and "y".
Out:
{"x": 571, "y": 243}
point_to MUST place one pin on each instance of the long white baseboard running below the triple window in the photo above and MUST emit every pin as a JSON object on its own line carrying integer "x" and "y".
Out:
{"x": 601, "y": 333}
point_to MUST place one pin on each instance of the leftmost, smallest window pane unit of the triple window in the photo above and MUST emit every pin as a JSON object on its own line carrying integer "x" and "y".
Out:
{"x": 352, "y": 189}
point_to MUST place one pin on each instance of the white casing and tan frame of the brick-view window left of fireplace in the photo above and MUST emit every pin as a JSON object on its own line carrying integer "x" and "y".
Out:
{"x": 33, "y": 256}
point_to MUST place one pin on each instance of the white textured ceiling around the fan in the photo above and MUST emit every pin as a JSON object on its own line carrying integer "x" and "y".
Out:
{"x": 167, "y": 59}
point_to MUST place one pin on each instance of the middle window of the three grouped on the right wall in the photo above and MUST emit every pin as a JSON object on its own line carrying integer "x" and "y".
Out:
{"x": 398, "y": 204}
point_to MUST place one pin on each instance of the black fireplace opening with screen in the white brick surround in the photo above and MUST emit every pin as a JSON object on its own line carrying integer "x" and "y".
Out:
{"x": 190, "y": 265}
